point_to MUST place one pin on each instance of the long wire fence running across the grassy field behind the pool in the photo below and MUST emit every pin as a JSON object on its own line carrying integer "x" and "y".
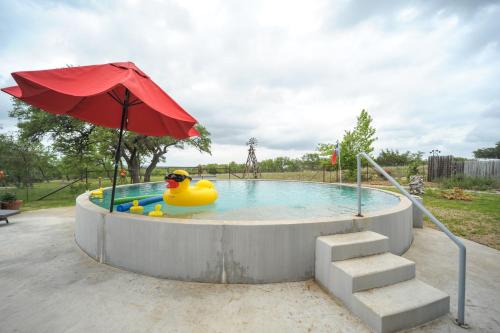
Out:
{"x": 67, "y": 187}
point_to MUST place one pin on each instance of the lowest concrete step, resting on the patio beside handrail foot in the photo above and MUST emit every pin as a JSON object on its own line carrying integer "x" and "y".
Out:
{"x": 400, "y": 306}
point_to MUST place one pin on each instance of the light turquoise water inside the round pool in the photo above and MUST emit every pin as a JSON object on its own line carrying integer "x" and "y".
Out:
{"x": 265, "y": 200}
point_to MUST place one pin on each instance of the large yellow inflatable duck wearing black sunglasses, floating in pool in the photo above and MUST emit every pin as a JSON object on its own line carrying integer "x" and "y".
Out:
{"x": 179, "y": 192}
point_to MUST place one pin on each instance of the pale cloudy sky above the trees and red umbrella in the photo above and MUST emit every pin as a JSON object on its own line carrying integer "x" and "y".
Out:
{"x": 291, "y": 73}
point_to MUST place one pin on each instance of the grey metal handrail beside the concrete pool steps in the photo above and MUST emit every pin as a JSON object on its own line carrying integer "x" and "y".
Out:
{"x": 462, "y": 250}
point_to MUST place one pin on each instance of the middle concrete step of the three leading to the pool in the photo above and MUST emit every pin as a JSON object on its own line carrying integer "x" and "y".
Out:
{"x": 379, "y": 270}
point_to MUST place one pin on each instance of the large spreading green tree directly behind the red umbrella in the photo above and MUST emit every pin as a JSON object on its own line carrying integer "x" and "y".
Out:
{"x": 83, "y": 145}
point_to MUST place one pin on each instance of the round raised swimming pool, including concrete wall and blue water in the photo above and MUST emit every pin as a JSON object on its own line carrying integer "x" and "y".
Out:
{"x": 258, "y": 231}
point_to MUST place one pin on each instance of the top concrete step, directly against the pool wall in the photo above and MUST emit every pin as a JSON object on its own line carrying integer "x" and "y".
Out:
{"x": 345, "y": 246}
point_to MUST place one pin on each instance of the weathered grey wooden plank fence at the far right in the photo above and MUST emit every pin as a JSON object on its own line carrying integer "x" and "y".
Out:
{"x": 447, "y": 166}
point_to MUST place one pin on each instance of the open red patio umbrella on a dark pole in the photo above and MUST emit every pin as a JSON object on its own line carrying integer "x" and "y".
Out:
{"x": 115, "y": 95}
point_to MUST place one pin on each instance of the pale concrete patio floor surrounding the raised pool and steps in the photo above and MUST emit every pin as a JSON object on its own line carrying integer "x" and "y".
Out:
{"x": 47, "y": 284}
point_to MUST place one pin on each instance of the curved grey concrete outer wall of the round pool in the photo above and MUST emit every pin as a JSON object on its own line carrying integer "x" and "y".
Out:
{"x": 224, "y": 251}
